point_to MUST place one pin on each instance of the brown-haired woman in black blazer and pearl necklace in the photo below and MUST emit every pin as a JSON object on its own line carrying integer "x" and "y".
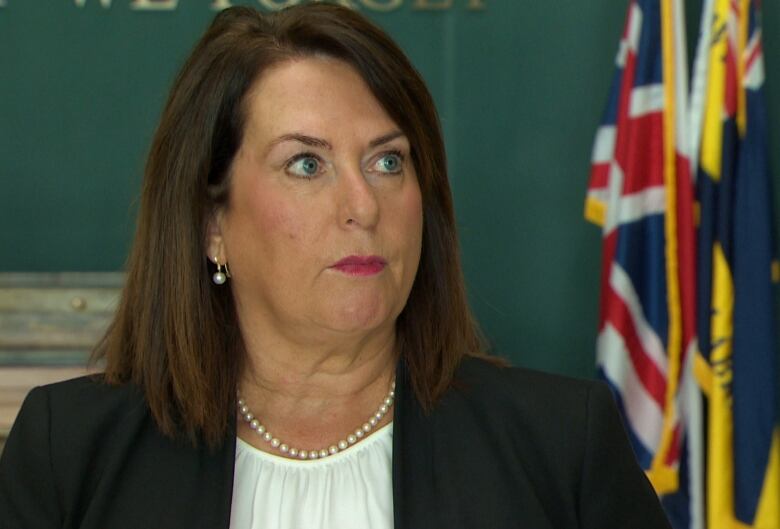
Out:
{"x": 296, "y": 247}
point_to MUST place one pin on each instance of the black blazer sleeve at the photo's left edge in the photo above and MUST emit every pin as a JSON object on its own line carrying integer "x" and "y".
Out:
{"x": 28, "y": 498}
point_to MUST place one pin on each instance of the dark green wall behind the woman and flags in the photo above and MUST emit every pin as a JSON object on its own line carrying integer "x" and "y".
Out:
{"x": 520, "y": 88}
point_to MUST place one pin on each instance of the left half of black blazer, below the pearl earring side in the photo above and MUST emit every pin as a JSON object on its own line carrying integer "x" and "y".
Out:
{"x": 84, "y": 448}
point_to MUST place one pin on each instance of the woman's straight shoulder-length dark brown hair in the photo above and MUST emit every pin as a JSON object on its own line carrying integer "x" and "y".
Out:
{"x": 177, "y": 336}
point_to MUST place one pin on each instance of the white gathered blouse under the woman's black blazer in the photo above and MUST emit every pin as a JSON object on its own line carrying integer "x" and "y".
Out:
{"x": 349, "y": 490}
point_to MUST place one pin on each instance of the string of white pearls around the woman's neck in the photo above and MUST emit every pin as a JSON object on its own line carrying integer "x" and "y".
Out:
{"x": 291, "y": 451}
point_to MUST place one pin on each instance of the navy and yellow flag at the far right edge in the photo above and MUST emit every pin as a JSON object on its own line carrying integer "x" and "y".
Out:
{"x": 735, "y": 296}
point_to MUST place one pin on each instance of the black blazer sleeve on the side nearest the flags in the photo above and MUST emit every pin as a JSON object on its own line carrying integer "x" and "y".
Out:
{"x": 614, "y": 492}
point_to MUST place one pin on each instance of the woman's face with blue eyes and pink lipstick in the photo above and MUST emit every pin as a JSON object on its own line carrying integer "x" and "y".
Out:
{"x": 324, "y": 226}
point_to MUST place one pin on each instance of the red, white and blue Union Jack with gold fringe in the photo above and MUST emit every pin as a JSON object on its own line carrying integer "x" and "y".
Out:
{"x": 641, "y": 194}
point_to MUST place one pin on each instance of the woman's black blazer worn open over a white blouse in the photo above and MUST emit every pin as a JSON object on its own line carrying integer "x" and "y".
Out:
{"x": 504, "y": 448}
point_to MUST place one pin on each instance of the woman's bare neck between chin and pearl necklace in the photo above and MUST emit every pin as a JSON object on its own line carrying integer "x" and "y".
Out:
{"x": 314, "y": 396}
